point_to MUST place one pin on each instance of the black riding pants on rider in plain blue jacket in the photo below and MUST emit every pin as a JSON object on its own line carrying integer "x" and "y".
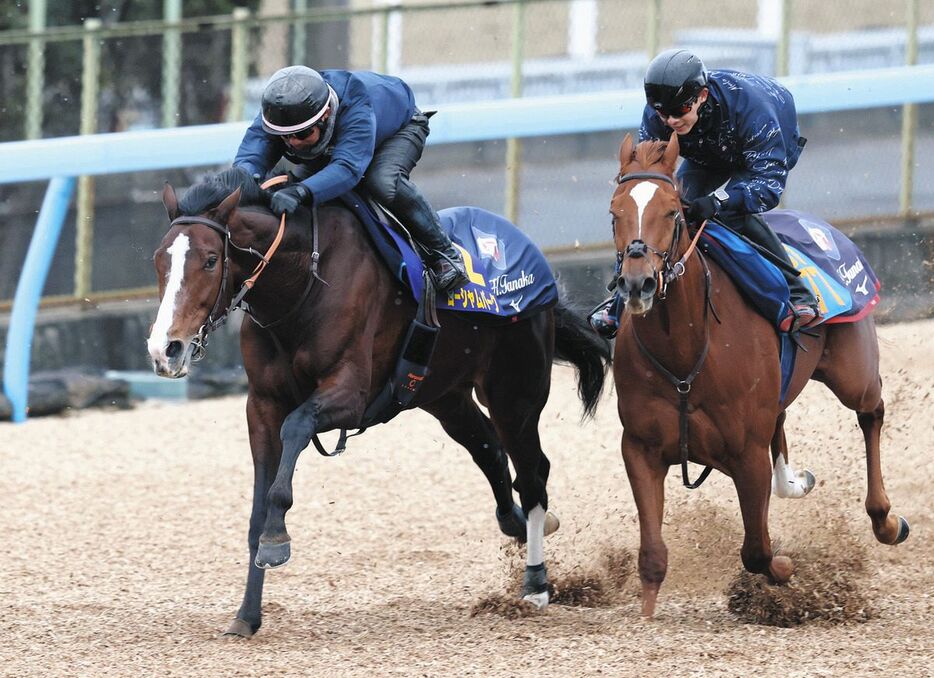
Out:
{"x": 387, "y": 180}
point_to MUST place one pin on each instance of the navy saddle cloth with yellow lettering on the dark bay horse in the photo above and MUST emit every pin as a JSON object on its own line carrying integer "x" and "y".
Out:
{"x": 509, "y": 275}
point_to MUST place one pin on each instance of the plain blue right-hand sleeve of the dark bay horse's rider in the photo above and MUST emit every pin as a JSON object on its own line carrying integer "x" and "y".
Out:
{"x": 355, "y": 144}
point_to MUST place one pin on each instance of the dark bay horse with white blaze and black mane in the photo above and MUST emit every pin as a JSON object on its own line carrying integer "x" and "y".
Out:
{"x": 316, "y": 354}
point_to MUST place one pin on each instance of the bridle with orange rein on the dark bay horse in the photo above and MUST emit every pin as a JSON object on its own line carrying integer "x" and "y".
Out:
{"x": 220, "y": 313}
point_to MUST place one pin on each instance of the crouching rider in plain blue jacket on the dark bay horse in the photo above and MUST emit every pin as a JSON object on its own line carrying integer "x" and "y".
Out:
{"x": 341, "y": 129}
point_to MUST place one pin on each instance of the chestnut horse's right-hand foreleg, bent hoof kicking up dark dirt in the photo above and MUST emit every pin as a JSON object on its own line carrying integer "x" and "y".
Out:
{"x": 752, "y": 478}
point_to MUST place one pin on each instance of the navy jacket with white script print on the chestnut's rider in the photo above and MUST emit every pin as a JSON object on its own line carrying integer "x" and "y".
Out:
{"x": 748, "y": 125}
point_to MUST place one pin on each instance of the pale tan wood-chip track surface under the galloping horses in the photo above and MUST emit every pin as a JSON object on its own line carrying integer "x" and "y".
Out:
{"x": 125, "y": 535}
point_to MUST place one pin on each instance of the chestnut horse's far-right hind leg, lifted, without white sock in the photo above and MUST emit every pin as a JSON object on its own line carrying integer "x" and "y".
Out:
{"x": 851, "y": 370}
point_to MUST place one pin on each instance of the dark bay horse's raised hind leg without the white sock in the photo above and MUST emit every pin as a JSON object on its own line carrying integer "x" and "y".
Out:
{"x": 466, "y": 424}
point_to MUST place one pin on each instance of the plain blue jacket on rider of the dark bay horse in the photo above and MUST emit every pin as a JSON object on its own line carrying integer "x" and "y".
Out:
{"x": 372, "y": 108}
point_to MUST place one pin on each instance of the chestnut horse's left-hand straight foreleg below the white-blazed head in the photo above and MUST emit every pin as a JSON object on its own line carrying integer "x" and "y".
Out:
{"x": 646, "y": 474}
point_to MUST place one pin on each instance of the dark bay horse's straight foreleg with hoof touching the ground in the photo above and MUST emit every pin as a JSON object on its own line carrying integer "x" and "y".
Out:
{"x": 264, "y": 442}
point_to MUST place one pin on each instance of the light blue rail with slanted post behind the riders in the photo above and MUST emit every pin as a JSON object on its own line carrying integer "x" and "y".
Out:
{"x": 62, "y": 159}
